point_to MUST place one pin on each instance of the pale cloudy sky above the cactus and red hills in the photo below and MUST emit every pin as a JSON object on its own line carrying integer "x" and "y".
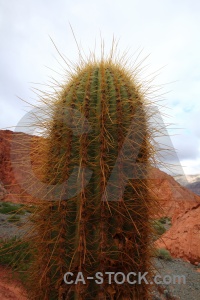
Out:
{"x": 166, "y": 31}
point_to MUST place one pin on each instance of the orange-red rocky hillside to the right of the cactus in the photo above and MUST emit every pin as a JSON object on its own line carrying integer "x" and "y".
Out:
{"x": 183, "y": 238}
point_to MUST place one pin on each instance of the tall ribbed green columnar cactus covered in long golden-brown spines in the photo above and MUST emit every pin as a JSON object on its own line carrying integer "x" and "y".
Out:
{"x": 100, "y": 224}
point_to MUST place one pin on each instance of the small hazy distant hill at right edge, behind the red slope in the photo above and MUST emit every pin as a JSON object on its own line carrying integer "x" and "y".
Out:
{"x": 191, "y": 182}
